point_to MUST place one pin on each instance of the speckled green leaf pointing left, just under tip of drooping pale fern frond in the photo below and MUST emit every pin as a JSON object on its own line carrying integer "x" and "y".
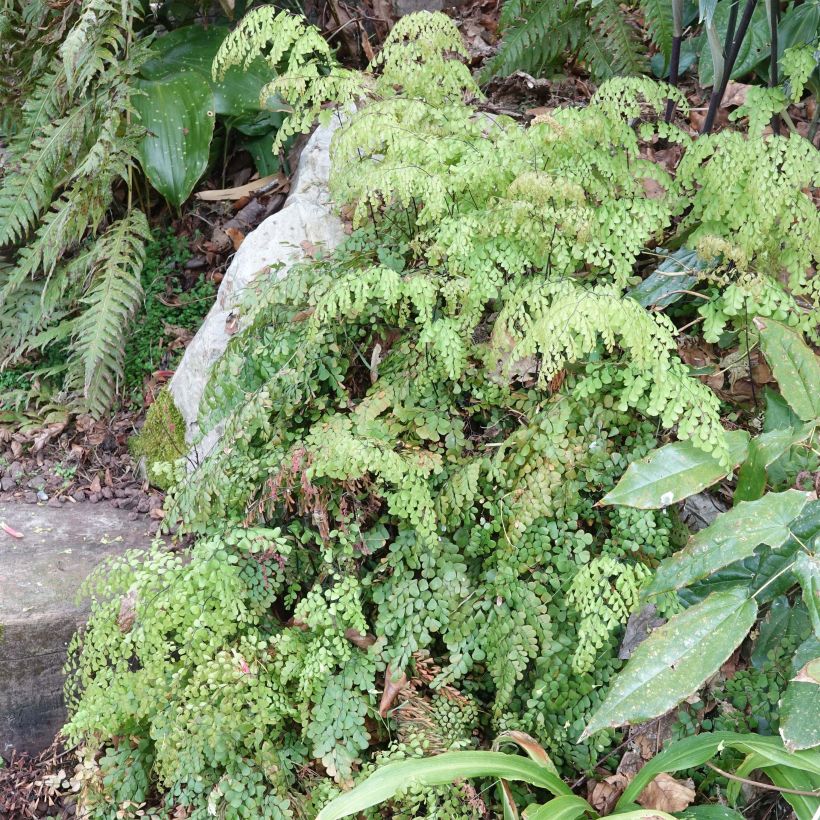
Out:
{"x": 674, "y": 472}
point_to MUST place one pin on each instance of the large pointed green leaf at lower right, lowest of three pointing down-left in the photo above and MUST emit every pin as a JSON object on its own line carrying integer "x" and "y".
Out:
{"x": 675, "y": 660}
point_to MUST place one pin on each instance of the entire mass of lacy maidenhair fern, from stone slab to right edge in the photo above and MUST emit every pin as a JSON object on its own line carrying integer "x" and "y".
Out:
{"x": 418, "y": 429}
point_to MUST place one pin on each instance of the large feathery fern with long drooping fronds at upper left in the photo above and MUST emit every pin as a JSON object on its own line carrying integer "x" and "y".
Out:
{"x": 75, "y": 263}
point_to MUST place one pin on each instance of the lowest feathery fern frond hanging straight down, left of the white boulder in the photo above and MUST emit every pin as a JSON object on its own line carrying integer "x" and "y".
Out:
{"x": 114, "y": 296}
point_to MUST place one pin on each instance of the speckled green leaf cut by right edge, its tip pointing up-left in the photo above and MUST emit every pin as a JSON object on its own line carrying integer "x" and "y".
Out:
{"x": 794, "y": 365}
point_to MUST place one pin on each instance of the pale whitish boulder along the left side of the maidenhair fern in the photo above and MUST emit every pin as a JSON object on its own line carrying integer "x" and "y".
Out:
{"x": 307, "y": 219}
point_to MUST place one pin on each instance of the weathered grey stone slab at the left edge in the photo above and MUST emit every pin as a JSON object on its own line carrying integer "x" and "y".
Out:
{"x": 40, "y": 575}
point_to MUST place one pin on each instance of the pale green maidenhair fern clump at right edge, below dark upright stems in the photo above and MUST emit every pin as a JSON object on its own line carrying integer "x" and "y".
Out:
{"x": 754, "y": 221}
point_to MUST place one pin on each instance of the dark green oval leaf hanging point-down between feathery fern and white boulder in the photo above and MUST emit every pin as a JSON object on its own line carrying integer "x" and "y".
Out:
{"x": 178, "y": 115}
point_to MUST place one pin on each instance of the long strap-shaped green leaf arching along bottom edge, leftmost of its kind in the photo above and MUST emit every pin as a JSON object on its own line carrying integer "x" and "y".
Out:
{"x": 438, "y": 771}
